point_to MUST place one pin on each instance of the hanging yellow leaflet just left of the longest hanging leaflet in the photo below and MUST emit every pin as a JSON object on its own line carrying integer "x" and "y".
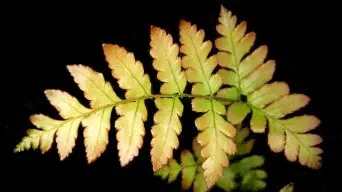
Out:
{"x": 165, "y": 131}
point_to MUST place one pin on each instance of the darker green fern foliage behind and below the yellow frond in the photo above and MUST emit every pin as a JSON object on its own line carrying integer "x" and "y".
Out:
{"x": 244, "y": 174}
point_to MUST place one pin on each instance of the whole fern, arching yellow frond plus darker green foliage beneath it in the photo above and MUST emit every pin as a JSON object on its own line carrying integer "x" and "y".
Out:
{"x": 218, "y": 97}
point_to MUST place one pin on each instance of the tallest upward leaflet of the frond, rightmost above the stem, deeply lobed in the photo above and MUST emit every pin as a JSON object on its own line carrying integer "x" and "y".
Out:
{"x": 250, "y": 73}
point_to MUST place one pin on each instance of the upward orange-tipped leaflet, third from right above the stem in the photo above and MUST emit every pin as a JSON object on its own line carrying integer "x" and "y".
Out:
{"x": 166, "y": 61}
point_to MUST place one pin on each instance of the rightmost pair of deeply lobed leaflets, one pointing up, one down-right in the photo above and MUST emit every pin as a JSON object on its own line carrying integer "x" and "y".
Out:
{"x": 268, "y": 102}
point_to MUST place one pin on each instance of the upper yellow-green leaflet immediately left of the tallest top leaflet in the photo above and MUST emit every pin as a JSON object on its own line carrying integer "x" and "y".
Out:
{"x": 196, "y": 62}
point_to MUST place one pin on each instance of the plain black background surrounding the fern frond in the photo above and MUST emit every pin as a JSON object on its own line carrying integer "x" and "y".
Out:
{"x": 38, "y": 41}
